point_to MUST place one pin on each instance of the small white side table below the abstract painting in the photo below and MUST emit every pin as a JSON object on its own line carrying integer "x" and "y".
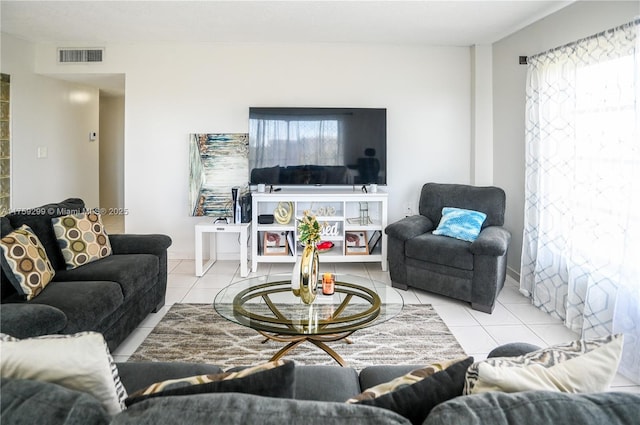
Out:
{"x": 212, "y": 229}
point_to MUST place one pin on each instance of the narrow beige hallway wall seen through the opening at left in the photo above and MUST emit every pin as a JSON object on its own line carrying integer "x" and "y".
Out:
{"x": 111, "y": 151}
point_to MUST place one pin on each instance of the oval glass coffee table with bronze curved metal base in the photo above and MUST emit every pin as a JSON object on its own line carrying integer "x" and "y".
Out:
{"x": 267, "y": 304}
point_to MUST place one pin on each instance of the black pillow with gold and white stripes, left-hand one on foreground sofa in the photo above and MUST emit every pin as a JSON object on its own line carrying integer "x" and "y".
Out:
{"x": 272, "y": 379}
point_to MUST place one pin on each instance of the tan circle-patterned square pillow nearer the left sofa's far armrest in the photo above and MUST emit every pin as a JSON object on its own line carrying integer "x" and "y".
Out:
{"x": 82, "y": 238}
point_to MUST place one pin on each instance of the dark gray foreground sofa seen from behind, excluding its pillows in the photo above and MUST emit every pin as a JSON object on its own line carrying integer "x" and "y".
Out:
{"x": 319, "y": 395}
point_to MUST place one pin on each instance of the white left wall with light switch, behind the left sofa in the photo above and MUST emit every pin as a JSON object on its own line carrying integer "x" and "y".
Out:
{"x": 52, "y": 114}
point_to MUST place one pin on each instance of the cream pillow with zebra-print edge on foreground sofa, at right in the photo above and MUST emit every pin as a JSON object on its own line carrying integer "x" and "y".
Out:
{"x": 576, "y": 367}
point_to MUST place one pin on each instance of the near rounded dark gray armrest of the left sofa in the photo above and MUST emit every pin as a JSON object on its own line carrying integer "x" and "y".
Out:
{"x": 22, "y": 320}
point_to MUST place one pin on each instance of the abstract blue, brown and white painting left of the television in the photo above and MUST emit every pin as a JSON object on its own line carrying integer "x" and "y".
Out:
{"x": 218, "y": 162}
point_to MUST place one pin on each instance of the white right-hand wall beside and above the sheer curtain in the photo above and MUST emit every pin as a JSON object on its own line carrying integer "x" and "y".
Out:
{"x": 579, "y": 20}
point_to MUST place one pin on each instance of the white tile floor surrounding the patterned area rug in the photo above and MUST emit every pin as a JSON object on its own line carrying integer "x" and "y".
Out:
{"x": 513, "y": 320}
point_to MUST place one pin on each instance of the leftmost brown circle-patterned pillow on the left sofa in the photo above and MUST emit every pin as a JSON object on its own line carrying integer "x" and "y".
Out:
{"x": 25, "y": 262}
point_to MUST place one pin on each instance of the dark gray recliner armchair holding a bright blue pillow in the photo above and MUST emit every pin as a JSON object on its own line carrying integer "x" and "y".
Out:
{"x": 469, "y": 271}
